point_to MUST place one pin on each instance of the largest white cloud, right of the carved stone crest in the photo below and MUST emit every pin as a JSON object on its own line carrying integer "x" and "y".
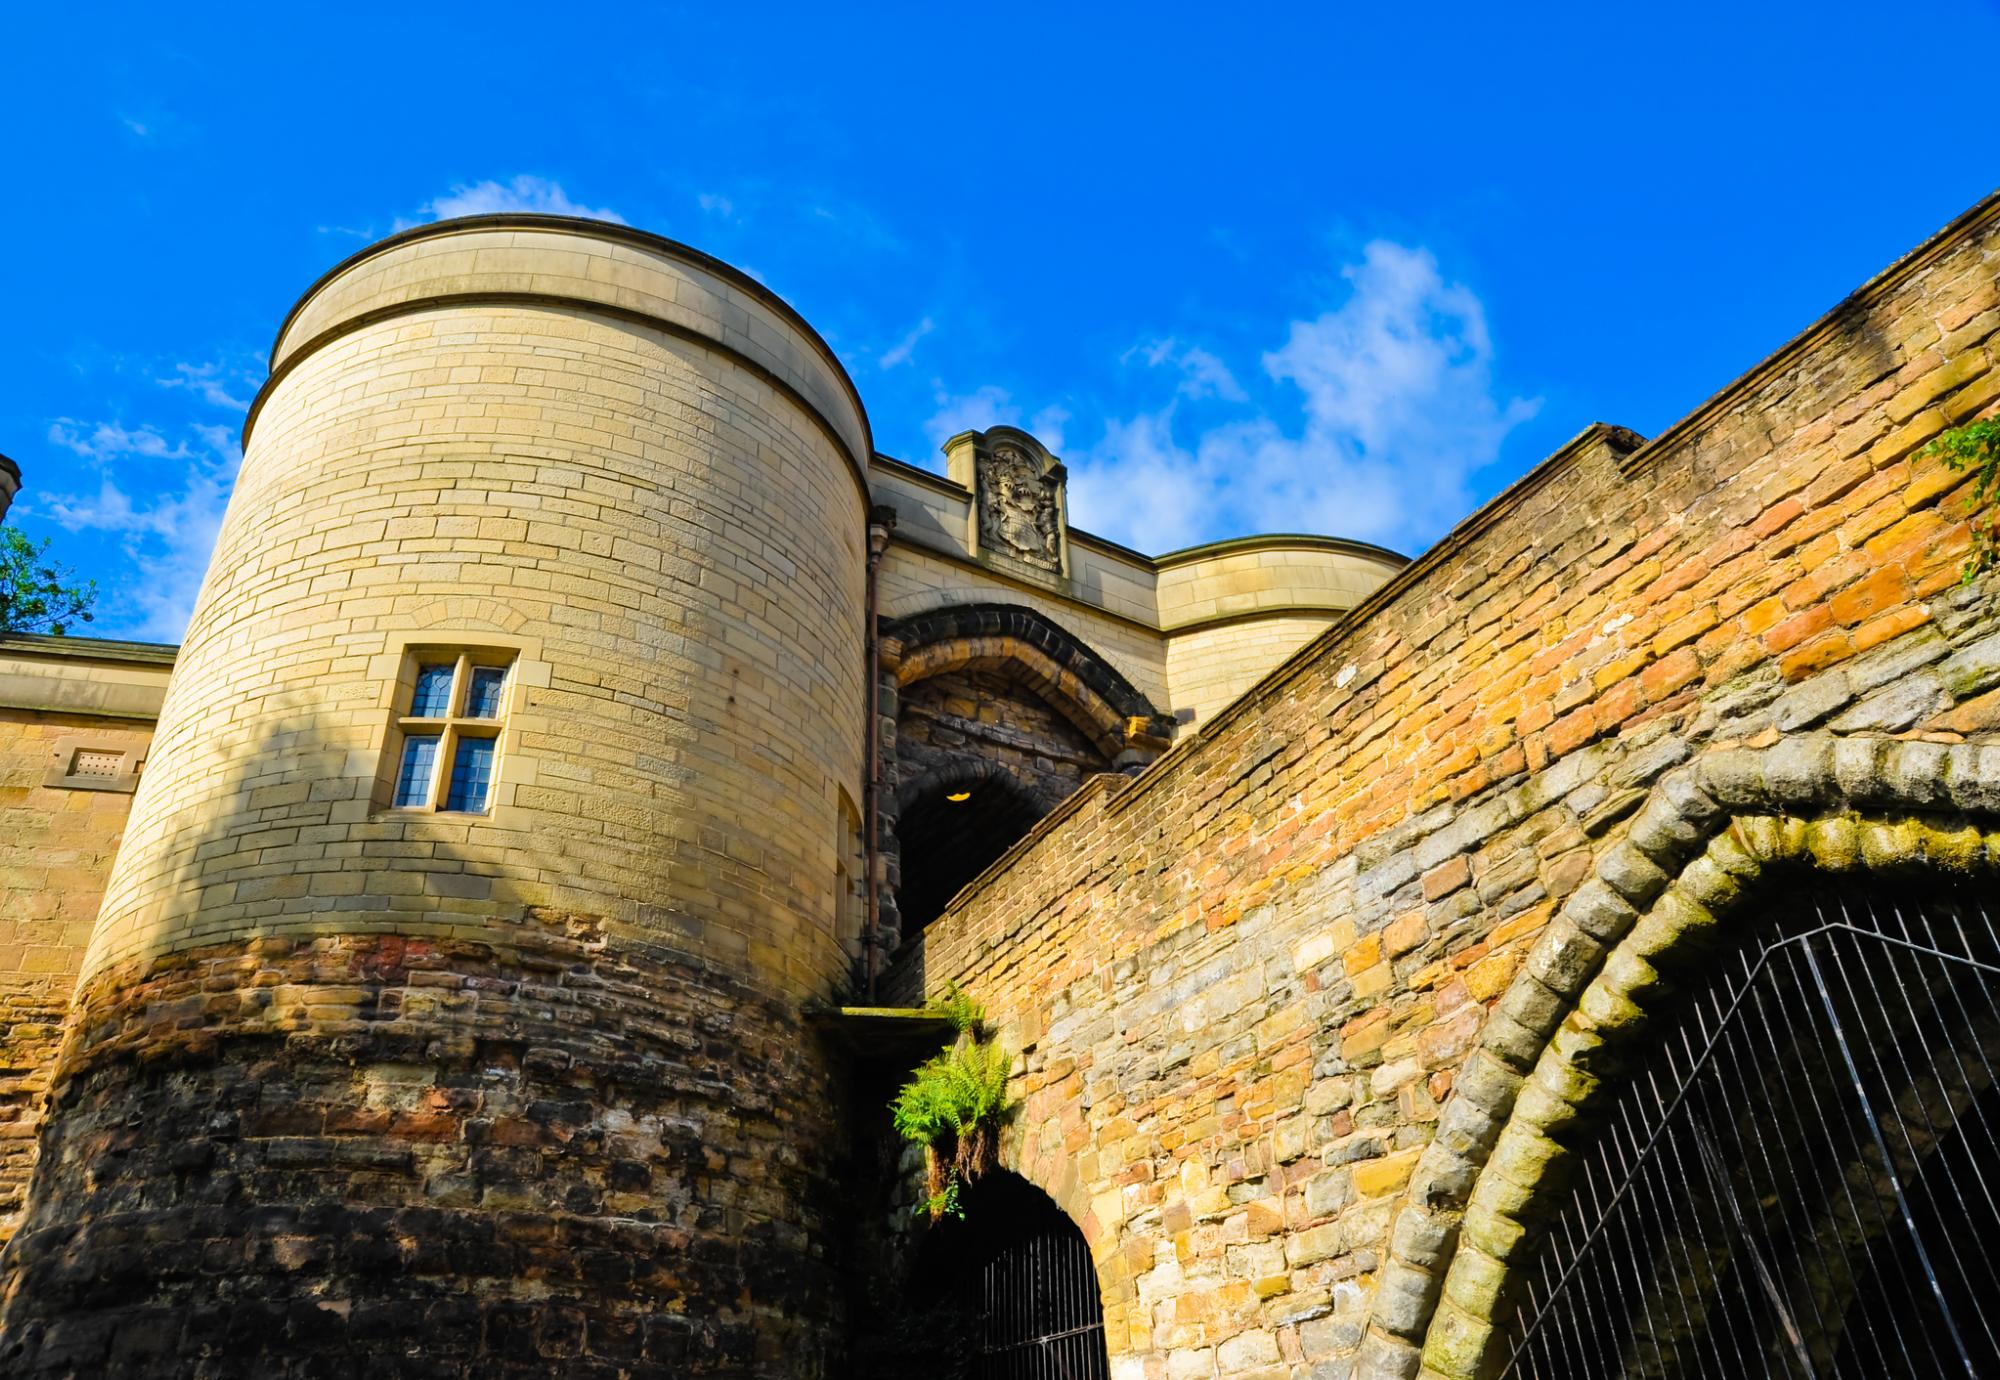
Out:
{"x": 1397, "y": 411}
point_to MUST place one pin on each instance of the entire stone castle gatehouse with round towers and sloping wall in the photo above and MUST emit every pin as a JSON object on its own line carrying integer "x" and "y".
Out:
{"x": 489, "y": 943}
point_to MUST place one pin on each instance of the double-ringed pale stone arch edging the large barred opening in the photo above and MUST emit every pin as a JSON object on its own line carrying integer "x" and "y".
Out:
{"x": 1701, "y": 841}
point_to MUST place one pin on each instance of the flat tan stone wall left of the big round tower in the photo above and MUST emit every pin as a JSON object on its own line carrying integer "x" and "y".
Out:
{"x": 57, "y": 849}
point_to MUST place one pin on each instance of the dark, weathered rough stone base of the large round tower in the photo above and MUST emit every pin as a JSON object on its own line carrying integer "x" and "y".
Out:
{"x": 391, "y": 1157}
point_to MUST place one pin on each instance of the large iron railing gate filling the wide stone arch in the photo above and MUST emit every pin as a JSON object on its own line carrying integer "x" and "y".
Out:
{"x": 1799, "y": 1177}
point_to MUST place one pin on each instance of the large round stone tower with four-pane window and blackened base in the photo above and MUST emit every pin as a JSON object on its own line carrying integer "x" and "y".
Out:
{"x": 445, "y": 1007}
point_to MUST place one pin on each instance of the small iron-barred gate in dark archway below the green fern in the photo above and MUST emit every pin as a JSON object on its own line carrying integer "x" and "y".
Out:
{"x": 1039, "y": 1311}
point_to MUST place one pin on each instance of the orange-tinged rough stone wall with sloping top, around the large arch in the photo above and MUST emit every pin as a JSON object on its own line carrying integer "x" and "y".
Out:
{"x": 1251, "y": 983}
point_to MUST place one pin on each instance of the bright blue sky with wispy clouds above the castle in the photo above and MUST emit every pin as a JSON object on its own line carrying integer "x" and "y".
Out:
{"x": 1245, "y": 267}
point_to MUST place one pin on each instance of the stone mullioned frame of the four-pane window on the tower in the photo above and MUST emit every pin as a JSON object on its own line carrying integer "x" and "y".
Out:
{"x": 451, "y": 729}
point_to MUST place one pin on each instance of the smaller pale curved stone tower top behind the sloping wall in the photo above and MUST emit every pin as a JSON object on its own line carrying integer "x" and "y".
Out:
{"x": 1235, "y": 611}
